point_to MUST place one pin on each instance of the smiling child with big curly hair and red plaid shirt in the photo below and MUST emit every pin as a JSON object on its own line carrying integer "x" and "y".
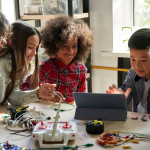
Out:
{"x": 67, "y": 41}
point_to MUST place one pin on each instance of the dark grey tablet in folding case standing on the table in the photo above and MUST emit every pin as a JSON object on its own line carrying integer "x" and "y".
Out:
{"x": 100, "y": 106}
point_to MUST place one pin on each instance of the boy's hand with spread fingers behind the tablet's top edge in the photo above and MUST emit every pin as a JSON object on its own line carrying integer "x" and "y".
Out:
{"x": 114, "y": 90}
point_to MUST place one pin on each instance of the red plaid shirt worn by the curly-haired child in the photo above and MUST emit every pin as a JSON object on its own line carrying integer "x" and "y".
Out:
{"x": 69, "y": 78}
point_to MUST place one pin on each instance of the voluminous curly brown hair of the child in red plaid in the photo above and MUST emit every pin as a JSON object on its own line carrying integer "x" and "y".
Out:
{"x": 63, "y": 28}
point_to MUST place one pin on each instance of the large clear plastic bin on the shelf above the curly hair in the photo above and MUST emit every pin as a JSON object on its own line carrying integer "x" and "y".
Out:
{"x": 54, "y": 6}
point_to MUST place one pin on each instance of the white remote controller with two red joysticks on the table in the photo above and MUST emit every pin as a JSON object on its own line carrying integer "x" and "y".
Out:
{"x": 65, "y": 131}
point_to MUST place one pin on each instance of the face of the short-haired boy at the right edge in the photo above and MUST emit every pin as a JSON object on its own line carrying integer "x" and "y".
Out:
{"x": 140, "y": 62}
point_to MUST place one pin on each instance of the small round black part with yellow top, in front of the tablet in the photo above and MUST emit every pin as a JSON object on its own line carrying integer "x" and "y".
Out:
{"x": 95, "y": 127}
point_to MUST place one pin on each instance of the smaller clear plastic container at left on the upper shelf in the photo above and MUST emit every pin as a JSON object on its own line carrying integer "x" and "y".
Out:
{"x": 33, "y": 9}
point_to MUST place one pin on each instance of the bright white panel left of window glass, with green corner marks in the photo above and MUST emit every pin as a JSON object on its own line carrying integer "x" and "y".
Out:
{"x": 122, "y": 17}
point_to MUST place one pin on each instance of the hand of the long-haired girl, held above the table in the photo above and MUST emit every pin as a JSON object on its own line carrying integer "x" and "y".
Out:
{"x": 46, "y": 90}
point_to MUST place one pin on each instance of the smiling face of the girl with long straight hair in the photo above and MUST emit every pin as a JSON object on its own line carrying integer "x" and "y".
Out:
{"x": 32, "y": 44}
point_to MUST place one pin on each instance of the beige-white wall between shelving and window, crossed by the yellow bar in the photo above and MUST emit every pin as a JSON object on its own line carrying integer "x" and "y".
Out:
{"x": 101, "y": 23}
